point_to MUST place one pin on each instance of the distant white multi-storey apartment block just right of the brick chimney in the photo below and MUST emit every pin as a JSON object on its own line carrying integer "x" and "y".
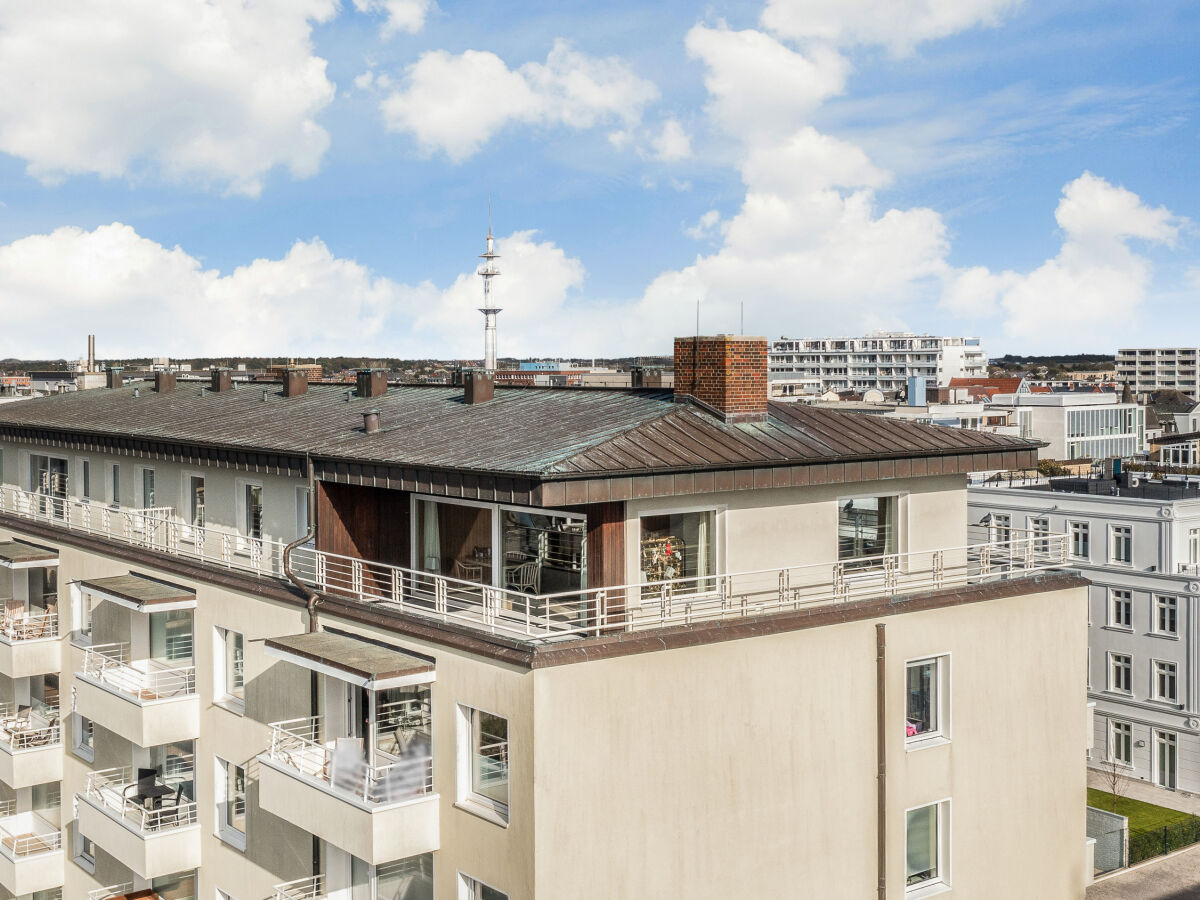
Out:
{"x": 884, "y": 361}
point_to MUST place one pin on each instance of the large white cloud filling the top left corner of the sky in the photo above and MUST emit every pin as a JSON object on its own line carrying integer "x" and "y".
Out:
{"x": 218, "y": 92}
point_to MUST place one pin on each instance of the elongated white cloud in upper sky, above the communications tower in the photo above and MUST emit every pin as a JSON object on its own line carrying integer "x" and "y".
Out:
{"x": 457, "y": 103}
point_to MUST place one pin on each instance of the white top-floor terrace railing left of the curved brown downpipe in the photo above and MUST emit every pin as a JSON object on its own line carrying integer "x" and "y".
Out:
{"x": 154, "y": 529}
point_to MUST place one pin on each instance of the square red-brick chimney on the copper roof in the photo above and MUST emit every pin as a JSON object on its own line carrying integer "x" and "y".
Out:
{"x": 725, "y": 374}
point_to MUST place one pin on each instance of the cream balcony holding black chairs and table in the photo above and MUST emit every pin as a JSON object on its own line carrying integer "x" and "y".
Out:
{"x": 151, "y": 832}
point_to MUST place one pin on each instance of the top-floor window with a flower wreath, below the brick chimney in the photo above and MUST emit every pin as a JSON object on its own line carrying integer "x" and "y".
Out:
{"x": 680, "y": 545}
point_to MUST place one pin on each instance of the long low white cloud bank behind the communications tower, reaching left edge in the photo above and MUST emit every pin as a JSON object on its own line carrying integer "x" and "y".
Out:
{"x": 145, "y": 299}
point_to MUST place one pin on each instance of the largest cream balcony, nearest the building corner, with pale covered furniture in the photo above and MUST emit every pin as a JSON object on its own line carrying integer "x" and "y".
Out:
{"x": 379, "y": 809}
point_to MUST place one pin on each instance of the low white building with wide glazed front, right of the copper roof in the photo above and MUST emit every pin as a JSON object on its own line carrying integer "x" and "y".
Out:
{"x": 1079, "y": 427}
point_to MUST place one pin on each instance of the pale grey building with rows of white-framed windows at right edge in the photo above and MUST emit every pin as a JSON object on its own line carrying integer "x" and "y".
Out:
{"x": 1138, "y": 543}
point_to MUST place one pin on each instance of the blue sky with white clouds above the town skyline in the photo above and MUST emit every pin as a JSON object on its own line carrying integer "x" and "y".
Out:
{"x": 295, "y": 178}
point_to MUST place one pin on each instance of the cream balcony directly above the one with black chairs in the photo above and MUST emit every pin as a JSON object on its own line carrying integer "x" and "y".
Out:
{"x": 149, "y": 703}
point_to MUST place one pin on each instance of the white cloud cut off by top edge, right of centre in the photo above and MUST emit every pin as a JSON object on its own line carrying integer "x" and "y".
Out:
{"x": 897, "y": 25}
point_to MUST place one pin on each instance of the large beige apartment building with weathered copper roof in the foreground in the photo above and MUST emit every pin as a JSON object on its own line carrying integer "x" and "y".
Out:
{"x": 303, "y": 641}
